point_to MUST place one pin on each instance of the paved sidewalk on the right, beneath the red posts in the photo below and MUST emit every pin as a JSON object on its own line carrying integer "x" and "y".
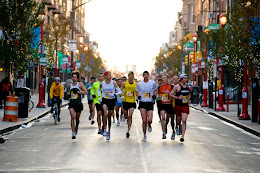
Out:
{"x": 231, "y": 117}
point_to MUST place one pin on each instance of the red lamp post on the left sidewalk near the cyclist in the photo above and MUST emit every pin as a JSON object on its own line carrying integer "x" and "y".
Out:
{"x": 41, "y": 89}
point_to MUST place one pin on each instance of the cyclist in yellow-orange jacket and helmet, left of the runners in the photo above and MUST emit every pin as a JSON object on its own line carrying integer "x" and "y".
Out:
{"x": 56, "y": 94}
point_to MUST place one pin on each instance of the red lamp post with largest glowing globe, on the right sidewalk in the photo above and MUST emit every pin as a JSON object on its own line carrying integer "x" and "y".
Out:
{"x": 223, "y": 22}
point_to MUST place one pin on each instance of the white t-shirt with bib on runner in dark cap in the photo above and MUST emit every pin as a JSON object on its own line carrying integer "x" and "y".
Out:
{"x": 146, "y": 90}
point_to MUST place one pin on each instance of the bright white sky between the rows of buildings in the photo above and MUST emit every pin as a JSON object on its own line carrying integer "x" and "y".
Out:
{"x": 131, "y": 31}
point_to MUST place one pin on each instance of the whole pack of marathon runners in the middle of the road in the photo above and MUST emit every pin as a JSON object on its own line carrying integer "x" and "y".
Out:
{"x": 109, "y": 95}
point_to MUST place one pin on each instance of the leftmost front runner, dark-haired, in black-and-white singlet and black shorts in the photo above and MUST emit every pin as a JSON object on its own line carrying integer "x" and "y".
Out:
{"x": 77, "y": 89}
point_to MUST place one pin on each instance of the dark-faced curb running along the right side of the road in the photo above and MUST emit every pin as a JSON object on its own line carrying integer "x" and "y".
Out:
{"x": 244, "y": 127}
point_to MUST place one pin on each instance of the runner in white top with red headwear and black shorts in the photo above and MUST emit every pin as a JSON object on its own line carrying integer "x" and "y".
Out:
{"x": 108, "y": 101}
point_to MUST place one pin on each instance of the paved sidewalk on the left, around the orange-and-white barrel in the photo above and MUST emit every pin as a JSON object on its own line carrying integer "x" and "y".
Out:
{"x": 34, "y": 114}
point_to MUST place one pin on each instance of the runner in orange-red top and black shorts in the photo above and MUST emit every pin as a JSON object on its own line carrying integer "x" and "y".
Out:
{"x": 166, "y": 105}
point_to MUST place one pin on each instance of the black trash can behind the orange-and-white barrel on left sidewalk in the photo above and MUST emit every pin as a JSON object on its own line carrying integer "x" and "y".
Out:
{"x": 23, "y": 95}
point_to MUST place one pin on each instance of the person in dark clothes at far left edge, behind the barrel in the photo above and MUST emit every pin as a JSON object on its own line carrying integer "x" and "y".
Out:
{"x": 6, "y": 89}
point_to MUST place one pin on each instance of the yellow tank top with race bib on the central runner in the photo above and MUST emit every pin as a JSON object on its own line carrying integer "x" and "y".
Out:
{"x": 129, "y": 92}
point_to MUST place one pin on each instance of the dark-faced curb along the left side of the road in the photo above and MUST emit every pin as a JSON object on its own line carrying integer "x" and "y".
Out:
{"x": 11, "y": 128}
